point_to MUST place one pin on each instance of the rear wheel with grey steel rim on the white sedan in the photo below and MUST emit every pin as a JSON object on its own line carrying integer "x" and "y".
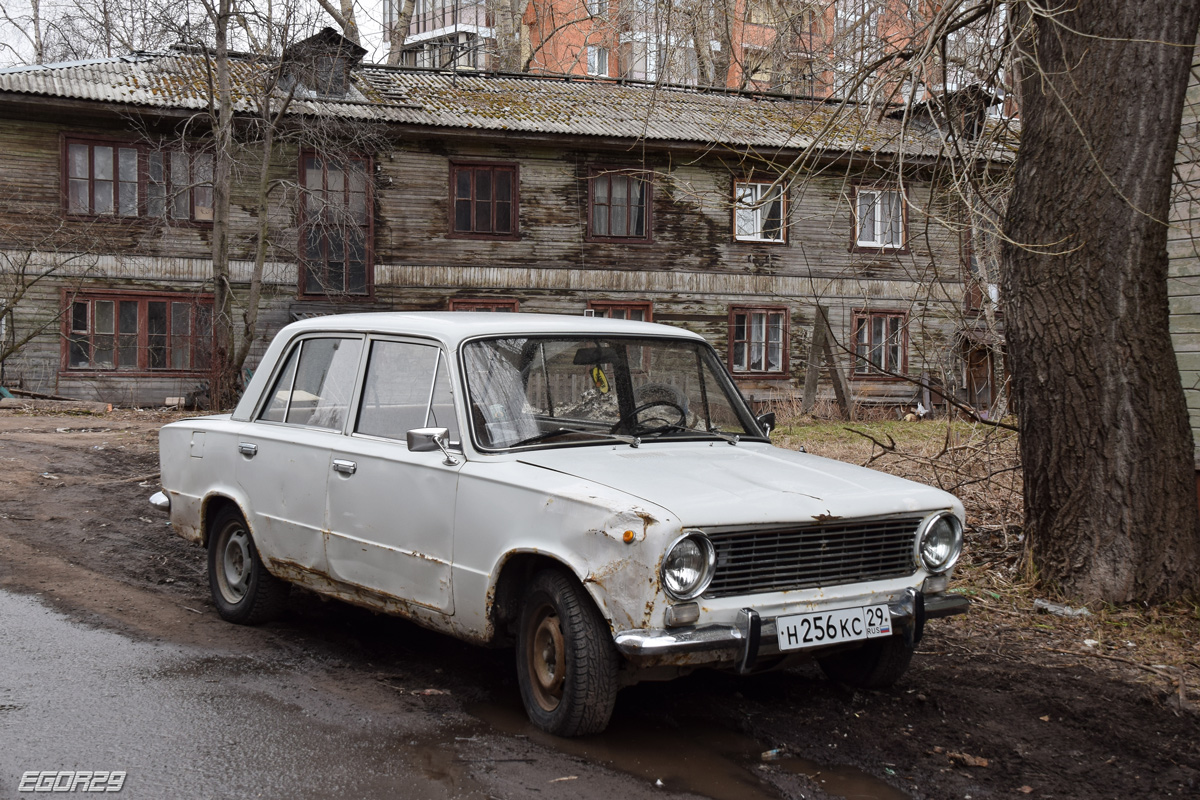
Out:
{"x": 243, "y": 591}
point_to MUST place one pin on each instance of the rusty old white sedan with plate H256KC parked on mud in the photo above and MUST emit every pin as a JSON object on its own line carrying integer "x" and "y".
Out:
{"x": 595, "y": 491}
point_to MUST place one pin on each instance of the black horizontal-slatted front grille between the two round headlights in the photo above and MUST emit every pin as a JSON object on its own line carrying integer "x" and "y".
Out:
{"x": 801, "y": 557}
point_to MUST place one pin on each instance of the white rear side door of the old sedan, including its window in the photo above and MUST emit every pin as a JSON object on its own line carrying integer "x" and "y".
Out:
{"x": 284, "y": 461}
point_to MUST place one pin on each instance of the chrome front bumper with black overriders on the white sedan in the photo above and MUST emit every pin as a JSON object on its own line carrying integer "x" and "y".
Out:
{"x": 753, "y": 637}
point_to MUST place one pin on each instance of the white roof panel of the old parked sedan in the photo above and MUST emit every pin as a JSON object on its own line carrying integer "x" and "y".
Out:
{"x": 455, "y": 327}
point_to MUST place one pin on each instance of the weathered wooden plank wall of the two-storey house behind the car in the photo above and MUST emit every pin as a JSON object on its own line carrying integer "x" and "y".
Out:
{"x": 693, "y": 270}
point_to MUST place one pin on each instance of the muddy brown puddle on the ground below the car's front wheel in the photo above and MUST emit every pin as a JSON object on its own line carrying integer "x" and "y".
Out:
{"x": 693, "y": 757}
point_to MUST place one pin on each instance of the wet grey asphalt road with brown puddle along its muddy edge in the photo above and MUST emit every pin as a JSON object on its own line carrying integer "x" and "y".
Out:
{"x": 188, "y": 721}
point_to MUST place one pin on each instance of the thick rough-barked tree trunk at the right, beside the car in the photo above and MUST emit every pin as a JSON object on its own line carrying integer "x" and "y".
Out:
{"x": 1111, "y": 496}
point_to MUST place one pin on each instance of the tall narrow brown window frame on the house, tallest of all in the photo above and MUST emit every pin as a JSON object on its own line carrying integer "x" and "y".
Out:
{"x": 367, "y": 225}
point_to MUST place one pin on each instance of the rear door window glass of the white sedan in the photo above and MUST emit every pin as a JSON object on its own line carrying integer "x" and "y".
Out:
{"x": 316, "y": 384}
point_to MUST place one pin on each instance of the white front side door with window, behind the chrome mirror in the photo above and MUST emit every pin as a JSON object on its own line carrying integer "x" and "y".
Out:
{"x": 391, "y": 510}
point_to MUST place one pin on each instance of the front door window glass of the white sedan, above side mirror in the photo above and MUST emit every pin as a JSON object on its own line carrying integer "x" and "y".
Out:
{"x": 407, "y": 387}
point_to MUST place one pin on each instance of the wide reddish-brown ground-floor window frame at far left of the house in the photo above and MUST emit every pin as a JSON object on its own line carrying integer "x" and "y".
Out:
{"x": 199, "y": 357}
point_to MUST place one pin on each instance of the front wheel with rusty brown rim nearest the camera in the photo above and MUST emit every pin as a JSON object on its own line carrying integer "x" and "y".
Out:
{"x": 567, "y": 664}
